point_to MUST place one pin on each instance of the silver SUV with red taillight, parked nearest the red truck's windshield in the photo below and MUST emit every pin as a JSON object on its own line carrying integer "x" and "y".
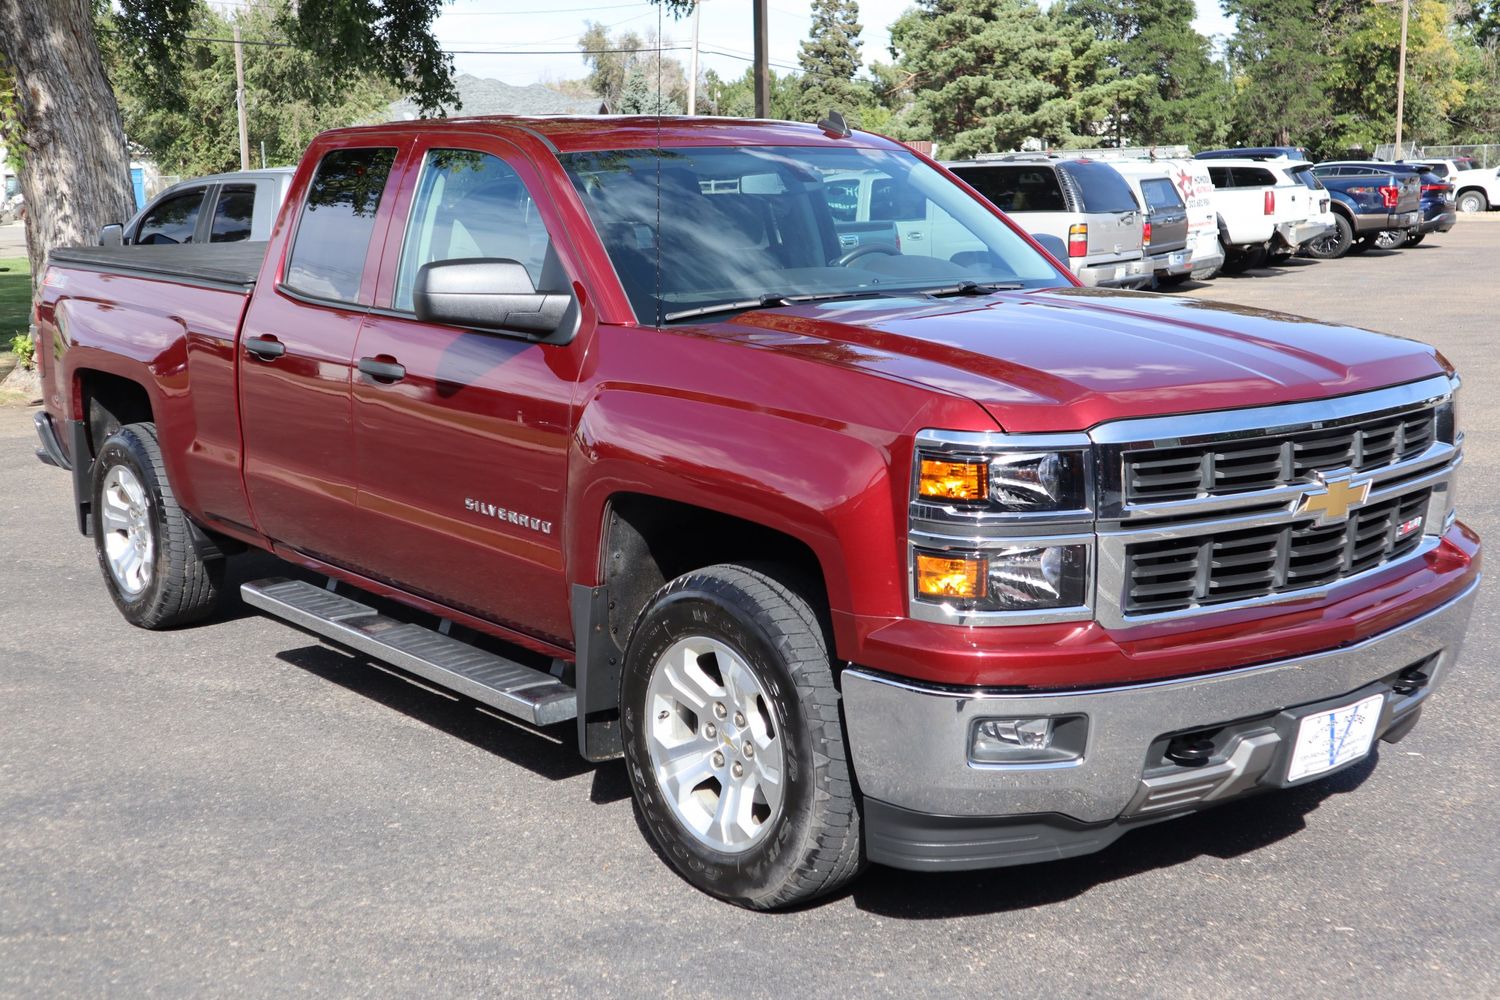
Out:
{"x": 1082, "y": 203}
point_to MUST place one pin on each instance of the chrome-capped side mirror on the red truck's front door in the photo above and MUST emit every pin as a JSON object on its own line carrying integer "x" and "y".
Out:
{"x": 493, "y": 295}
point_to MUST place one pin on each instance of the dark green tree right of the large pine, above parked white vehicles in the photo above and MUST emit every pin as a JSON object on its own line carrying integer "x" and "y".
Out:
{"x": 1177, "y": 94}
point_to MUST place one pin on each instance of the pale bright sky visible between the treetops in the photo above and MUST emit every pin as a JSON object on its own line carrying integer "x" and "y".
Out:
{"x": 527, "y": 41}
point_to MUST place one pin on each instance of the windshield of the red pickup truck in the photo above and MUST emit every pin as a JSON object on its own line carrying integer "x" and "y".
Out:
{"x": 740, "y": 226}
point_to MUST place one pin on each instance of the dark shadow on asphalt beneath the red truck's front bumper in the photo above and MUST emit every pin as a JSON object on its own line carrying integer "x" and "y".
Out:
{"x": 1226, "y": 831}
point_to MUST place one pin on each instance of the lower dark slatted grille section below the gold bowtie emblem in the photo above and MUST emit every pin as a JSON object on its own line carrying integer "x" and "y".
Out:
{"x": 1213, "y": 569}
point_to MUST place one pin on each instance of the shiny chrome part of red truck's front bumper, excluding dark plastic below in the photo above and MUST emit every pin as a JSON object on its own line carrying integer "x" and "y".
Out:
{"x": 910, "y": 743}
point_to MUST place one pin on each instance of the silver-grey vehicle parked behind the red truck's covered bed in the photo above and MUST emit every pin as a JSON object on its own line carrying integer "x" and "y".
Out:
{"x": 215, "y": 209}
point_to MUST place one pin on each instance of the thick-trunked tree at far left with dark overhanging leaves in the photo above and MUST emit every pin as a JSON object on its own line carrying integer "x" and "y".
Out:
{"x": 76, "y": 163}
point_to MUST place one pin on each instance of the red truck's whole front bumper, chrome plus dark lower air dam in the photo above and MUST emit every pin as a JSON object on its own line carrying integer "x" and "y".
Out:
{"x": 929, "y": 807}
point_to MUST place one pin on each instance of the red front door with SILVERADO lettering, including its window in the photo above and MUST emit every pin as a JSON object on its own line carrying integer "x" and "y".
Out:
{"x": 463, "y": 437}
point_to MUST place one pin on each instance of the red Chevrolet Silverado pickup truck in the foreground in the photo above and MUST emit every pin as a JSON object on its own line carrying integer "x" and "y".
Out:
{"x": 920, "y": 554}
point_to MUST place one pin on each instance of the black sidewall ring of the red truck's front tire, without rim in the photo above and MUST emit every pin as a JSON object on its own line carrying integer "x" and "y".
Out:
{"x": 773, "y": 860}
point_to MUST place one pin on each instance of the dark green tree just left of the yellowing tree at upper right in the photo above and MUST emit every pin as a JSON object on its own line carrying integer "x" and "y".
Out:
{"x": 1277, "y": 56}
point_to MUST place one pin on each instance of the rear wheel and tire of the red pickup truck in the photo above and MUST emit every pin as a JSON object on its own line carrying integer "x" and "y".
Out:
{"x": 145, "y": 543}
